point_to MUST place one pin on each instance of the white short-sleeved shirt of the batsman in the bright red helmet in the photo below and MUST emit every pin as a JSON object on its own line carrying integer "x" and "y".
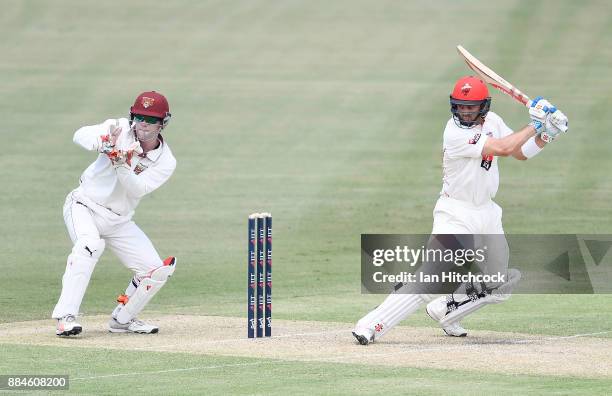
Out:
{"x": 467, "y": 175}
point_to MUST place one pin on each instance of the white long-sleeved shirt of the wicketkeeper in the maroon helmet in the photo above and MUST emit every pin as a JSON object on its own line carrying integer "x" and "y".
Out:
{"x": 120, "y": 189}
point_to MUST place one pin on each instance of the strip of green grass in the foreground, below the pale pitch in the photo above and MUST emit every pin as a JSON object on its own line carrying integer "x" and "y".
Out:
{"x": 175, "y": 373}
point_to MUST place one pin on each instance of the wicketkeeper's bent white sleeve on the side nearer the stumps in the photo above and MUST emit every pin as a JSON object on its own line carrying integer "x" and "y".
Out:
{"x": 146, "y": 182}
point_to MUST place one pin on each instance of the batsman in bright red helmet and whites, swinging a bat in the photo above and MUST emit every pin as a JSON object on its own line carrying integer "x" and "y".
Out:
{"x": 474, "y": 138}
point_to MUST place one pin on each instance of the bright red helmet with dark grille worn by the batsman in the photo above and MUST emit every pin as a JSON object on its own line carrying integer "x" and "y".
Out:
{"x": 470, "y": 91}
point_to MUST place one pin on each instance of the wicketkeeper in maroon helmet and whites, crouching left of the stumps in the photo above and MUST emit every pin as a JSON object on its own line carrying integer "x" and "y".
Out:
{"x": 133, "y": 160}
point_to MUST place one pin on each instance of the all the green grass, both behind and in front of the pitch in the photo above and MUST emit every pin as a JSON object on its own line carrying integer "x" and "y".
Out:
{"x": 337, "y": 109}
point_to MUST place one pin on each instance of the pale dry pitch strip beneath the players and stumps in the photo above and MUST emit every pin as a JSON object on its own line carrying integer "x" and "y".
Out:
{"x": 579, "y": 355}
